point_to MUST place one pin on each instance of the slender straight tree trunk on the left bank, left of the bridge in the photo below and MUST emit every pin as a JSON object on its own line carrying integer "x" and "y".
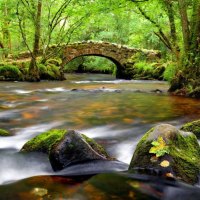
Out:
{"x": 33, "y": 68}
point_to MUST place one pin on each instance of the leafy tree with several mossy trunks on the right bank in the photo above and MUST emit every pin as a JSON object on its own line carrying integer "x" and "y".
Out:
{"x": 188, "y": 60}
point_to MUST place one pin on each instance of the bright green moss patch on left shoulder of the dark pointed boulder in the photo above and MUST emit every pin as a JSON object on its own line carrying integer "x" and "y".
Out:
{"x": 44, "y": 141}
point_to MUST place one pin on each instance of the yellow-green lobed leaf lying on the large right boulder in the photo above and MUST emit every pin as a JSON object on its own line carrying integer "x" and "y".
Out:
{"x": 159, "y": 147}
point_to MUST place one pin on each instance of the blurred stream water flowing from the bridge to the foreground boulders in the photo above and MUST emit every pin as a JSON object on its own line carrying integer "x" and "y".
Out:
{"x": 114, "y": 112}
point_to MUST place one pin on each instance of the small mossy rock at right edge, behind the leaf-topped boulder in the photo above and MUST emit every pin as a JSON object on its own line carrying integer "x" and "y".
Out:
{"x": 193, "y": 127}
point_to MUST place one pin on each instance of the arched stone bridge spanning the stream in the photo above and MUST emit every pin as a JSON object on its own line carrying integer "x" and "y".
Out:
{"x": 120, "y": 55}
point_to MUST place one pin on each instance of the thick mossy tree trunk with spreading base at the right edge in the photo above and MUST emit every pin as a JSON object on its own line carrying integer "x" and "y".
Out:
{"x": 187, "y": 82}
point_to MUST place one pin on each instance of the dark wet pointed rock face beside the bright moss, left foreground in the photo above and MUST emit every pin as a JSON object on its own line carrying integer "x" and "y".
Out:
{"x": 75, "y": 148}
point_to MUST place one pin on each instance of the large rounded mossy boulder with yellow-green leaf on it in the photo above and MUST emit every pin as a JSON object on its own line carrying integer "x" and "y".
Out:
{"x": 169, "y": 152}
